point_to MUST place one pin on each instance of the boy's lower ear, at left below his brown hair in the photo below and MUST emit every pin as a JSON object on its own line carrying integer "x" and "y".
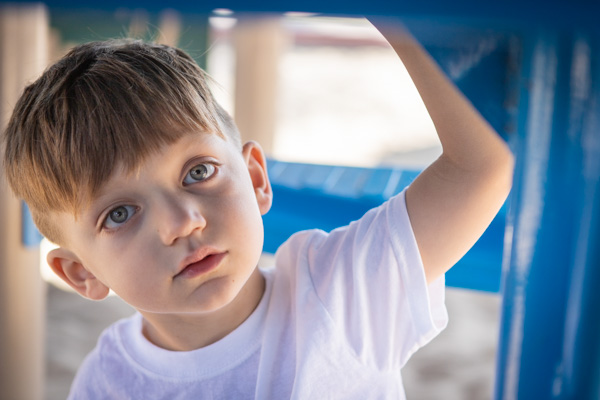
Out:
{"x": 70, "y": 269}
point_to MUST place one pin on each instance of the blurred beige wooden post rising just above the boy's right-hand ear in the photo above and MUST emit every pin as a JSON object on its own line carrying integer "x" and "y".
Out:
{"x": 259, "y": 43}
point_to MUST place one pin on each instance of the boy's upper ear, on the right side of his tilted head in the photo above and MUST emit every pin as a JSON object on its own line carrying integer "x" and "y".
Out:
{"x": 257, "y": 167}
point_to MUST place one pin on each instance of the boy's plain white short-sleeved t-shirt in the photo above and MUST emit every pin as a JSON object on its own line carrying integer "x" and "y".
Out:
{"x": 341, "y": 314}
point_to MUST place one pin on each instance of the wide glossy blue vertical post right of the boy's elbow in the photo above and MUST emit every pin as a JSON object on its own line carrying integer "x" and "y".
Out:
{"x": 550, "y": 335}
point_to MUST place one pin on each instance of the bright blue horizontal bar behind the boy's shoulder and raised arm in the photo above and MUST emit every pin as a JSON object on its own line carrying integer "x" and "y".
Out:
{"x": 325, "y": 197}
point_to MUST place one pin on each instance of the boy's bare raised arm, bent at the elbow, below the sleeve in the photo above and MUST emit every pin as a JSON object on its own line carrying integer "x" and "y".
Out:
{"x": 451, "y": 203}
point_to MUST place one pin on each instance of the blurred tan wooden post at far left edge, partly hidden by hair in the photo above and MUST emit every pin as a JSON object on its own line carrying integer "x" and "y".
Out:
{"x": 23, "y": 56}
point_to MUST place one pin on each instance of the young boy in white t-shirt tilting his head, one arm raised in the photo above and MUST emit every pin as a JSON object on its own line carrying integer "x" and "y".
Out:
{"x": 129, "y": 165}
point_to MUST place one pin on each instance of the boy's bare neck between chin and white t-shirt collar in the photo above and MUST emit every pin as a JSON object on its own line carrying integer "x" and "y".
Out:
{"x": 193, "y": 331}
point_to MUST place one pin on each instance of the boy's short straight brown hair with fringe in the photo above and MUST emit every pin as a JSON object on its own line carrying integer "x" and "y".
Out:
{"x": 103, "y": 104}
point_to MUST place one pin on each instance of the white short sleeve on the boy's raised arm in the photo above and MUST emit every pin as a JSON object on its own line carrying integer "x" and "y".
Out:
{"x": 370, "y": 279}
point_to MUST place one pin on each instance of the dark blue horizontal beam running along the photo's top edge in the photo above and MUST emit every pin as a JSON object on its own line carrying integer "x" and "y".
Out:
{"x": 577, "y": 12}
